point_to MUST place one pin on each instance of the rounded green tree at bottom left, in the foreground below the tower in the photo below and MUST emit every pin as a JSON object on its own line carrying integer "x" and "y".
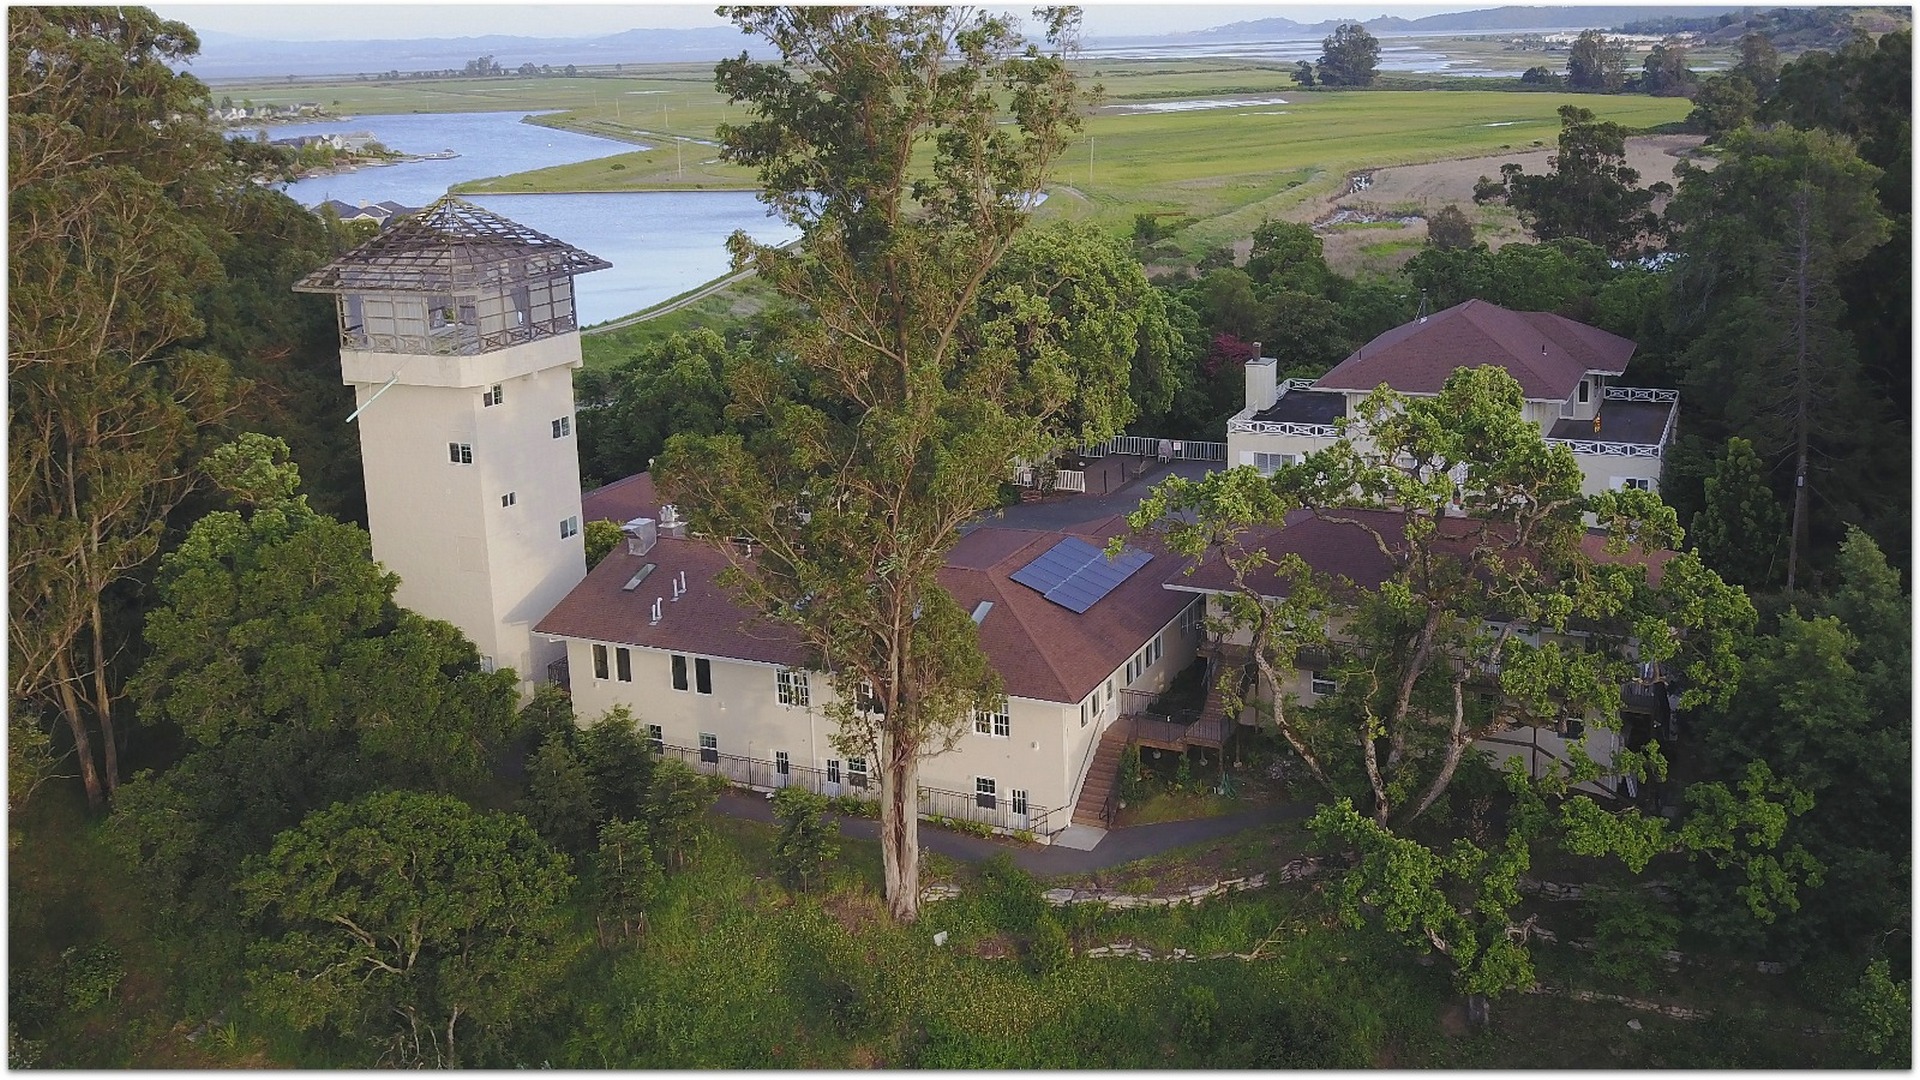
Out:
{"x": 414, "y": 925}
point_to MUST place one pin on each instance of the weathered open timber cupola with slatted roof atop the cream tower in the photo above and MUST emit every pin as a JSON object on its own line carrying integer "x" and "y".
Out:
{"x": 454, "y": 280}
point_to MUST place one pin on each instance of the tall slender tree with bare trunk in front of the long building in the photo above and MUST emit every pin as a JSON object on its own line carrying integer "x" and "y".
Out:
{"x": 907, "y": 147}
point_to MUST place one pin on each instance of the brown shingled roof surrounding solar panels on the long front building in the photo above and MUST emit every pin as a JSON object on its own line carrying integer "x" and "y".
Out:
{"x": 1042, "y": 650}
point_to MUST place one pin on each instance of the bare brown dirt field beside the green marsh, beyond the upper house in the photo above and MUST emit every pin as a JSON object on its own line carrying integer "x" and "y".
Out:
{"x": 1420, "y": 189}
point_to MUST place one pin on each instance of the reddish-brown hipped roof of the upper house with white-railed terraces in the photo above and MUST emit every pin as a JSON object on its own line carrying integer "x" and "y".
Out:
{"x": 1545, "y": 353}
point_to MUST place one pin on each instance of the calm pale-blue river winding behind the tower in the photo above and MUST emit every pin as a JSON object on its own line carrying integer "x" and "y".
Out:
{"x": 660, "y": 243}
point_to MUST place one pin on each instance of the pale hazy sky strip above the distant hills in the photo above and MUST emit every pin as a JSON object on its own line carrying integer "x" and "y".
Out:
{"x": 348, "y": 20}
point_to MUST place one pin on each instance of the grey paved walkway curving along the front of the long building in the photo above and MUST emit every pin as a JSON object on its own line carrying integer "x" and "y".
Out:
{"x": 1118, "y": 847}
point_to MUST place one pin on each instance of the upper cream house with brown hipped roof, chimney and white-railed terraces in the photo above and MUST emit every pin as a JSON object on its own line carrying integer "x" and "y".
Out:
{"x": 1568, "y": 376}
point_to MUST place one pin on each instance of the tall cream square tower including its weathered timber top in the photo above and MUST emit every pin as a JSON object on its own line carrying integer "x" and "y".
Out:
{"x": 460, "y": 339}
